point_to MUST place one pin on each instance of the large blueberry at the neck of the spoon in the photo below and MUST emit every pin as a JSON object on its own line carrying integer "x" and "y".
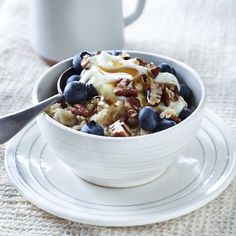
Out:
{"x": 75, "y": 92}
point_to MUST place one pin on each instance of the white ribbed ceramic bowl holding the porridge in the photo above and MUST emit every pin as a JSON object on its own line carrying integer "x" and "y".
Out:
{"x": 120, "y": 161}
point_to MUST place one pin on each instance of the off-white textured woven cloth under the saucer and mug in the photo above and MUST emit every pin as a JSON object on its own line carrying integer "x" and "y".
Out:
{"x": 199, "y": 33}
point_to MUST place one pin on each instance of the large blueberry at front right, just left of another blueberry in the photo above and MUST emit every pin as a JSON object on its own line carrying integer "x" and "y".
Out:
{"x": 148, "y": 118}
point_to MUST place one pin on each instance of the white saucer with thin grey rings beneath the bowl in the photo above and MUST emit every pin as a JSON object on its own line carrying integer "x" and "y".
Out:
{"x": 201, "y": 174}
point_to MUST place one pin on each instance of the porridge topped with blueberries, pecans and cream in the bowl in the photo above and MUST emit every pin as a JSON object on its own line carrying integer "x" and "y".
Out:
{"x": 113, "y": 94}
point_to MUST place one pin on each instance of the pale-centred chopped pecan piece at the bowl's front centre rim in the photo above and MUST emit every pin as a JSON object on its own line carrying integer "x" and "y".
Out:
{"x": 119, "y": 129}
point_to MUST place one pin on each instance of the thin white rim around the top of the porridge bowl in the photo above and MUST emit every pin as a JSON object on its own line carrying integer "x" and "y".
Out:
{"x": 198, "y": 109}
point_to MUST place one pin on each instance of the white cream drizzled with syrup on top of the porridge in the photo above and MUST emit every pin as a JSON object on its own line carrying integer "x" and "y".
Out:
{"x": 105, "y": 69}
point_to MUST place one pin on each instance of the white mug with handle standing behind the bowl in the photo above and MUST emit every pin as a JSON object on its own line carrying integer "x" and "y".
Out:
{"x": 62, "y": 28}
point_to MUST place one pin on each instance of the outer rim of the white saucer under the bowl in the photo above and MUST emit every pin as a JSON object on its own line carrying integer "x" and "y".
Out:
{"x": 59, "y": 211}
